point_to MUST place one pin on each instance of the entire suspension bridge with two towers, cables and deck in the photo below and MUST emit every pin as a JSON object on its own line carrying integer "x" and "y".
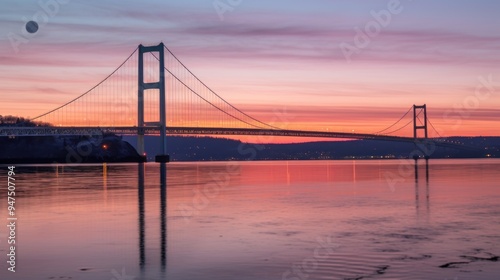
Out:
{"x": 153, "y": 93}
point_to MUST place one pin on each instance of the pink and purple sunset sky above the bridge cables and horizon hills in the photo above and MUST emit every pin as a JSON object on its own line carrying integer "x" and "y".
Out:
{"x": 331, "y": 65}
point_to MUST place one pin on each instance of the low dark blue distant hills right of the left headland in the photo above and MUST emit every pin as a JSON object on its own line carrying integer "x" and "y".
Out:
{"x": 208, "y": 148}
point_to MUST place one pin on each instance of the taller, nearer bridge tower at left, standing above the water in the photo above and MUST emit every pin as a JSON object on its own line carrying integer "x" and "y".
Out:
{"x": 144, "y": 87}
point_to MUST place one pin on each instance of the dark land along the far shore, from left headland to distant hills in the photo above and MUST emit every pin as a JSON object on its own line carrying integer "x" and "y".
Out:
{"x": 113, "y": 148}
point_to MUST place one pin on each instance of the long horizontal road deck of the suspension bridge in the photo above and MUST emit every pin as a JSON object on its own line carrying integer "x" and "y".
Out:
{"x": 133, "y": 130}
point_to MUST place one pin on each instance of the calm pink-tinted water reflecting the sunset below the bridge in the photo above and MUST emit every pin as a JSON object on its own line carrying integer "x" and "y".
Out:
{"x": 267, "y": 220}
